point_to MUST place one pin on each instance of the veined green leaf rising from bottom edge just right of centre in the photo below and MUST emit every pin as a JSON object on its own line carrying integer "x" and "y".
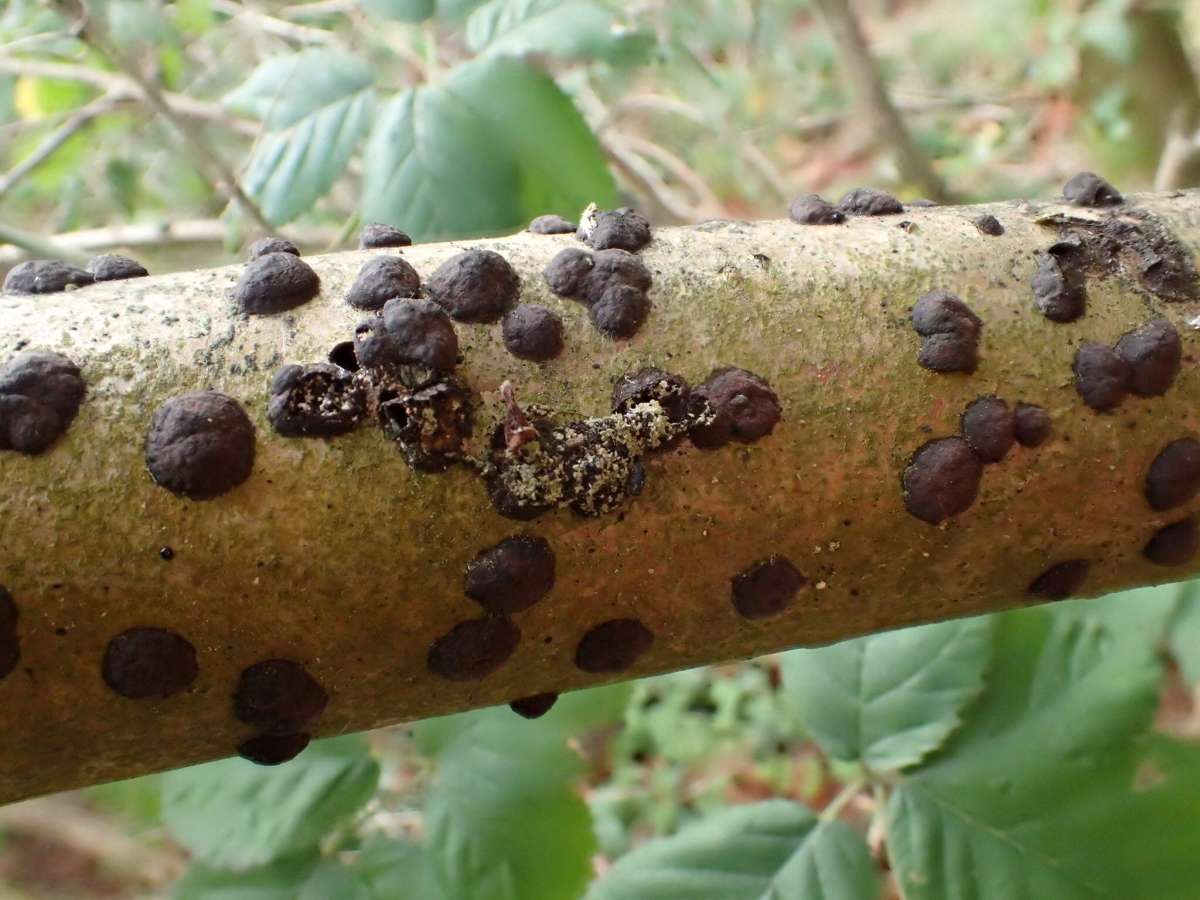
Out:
{"x": 771, "y": 851}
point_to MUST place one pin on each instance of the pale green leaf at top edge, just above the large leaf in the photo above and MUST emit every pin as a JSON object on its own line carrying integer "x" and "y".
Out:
{"x": 568, "y": 29}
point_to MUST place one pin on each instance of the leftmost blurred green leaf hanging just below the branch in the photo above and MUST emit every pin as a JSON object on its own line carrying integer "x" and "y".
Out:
{"x": 237, "y": 815}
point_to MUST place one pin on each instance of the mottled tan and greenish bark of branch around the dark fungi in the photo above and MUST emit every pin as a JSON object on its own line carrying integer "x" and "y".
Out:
{"x": 339, "y": 556}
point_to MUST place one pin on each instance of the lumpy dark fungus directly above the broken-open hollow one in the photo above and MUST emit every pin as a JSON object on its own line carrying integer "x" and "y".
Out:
{"x": 413, "y": 341}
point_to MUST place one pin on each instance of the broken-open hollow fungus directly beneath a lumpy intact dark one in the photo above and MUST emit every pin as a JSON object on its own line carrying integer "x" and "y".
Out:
{"x": 430, "y": 424}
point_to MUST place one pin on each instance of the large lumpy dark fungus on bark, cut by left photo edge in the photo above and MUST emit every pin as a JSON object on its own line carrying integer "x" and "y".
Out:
{"x": 40, "y": 395}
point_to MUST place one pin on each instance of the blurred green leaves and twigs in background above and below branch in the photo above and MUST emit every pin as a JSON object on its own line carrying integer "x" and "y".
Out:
{"x": 1046, "y": 753}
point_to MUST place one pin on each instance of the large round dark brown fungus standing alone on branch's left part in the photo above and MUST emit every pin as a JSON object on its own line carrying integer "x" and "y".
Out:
{"x": 200, "y": 446}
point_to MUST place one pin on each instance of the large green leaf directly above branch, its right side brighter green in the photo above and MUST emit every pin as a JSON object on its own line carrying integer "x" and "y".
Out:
{"x": 493, "y": 146}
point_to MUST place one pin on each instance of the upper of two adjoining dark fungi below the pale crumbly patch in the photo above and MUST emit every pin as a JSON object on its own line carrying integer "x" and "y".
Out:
{"x": 513, "y": 575}
